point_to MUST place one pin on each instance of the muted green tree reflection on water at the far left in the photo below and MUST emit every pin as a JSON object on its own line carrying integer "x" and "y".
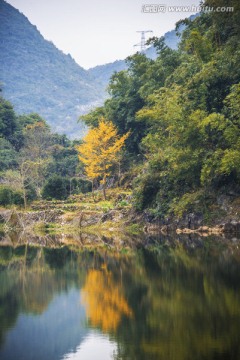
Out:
{"x": 29, "y": 279}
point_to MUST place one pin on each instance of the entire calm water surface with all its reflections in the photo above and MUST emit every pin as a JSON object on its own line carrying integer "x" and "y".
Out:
{"x": 170, "y": 302}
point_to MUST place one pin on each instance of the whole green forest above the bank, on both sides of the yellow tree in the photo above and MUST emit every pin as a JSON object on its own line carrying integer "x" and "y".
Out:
{"x": 178, "y": 116}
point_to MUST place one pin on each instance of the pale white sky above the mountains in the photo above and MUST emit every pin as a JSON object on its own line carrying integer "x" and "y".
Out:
{"x": 96, "y": 32}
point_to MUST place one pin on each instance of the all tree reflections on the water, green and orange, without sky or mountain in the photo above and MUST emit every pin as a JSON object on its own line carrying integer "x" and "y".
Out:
{"x": 169, "y": 303}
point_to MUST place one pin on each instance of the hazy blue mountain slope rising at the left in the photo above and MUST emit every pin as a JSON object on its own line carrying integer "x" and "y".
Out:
{"x": 37, "y": 77}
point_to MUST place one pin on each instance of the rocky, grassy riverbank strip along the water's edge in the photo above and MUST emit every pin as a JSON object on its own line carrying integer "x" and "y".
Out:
{"x": 93, "y": 218}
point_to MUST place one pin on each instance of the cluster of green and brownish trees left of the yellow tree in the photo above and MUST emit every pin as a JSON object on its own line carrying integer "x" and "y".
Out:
{"x": 34, "y": 162}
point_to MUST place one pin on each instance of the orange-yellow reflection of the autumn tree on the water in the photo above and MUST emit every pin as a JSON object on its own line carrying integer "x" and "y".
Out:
{"x": 104, "y": 301}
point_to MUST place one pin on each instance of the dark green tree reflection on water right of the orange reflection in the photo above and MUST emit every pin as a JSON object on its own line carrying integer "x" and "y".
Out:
{"x": 188, "y": 311}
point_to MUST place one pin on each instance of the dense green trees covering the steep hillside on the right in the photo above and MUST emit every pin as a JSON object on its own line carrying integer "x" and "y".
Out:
{"x": 183, "y": 114}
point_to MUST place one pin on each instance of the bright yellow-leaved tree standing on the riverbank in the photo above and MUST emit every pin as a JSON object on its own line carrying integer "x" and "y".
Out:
{"x": 100, "y": 150}
